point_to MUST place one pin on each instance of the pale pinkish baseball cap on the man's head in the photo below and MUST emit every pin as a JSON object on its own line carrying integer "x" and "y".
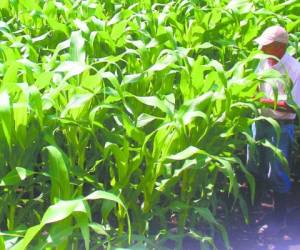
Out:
{"x": 273, "y": 34}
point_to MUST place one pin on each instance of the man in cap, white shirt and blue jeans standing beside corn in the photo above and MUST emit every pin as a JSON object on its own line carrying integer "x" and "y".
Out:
{"x": 262, "y": 162}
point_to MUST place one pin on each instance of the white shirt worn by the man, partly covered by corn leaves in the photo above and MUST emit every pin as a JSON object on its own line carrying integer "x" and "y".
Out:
{"x": 287, "y": 65}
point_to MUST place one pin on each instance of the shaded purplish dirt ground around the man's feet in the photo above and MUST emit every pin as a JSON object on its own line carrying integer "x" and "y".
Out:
{"x": 247, "y": 237}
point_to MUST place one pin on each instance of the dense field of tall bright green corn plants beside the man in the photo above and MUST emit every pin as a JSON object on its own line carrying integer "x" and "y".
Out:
{"x": 117, "y": 116}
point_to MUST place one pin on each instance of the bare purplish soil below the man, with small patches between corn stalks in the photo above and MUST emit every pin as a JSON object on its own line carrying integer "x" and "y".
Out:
{"x": 244, "y": 236}
